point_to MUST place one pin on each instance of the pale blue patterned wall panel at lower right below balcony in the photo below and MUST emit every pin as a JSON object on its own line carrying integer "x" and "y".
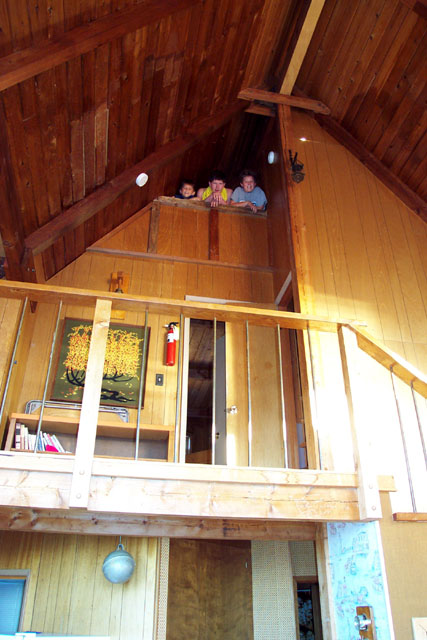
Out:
{"x": 357, "y": 577}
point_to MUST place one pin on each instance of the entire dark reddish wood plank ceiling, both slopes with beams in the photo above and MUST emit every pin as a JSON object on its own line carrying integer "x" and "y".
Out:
{"x": 92, "y": 91}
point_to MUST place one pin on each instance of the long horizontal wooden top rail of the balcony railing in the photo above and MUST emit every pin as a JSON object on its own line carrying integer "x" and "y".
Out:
{"x": 127, "y": 302}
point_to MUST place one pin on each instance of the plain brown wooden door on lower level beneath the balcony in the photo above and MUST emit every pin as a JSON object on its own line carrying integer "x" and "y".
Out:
{"x": 210, "y": 590}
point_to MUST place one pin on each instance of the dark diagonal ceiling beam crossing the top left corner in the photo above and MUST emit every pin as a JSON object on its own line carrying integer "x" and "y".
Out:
{"x": 45, "y": 55}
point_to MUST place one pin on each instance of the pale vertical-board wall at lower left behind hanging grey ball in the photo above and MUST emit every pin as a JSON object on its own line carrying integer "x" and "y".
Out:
{"x": 67, "y": 591}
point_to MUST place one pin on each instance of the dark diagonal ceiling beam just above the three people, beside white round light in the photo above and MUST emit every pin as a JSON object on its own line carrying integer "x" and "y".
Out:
{"x": 76, "y": 215}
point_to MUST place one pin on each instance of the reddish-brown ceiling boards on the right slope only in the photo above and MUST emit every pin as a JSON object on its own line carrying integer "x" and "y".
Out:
{"x": 367, "y": 62}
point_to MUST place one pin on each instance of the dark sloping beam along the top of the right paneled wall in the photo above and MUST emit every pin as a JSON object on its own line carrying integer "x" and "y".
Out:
{"x": 380, "y": 171}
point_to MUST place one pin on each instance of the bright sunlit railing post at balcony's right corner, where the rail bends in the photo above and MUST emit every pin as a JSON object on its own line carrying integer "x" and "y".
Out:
{"x": 369, "y": 497}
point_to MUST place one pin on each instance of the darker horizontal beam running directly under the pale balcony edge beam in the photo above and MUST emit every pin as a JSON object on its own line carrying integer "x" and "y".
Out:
{"x": 83, "y": 522}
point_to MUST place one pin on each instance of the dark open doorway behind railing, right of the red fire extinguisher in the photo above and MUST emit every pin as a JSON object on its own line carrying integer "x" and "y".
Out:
{"x": 206, "y": 393}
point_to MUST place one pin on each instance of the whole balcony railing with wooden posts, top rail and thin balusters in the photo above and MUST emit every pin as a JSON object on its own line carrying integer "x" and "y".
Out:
{"x": 351, "y": 339}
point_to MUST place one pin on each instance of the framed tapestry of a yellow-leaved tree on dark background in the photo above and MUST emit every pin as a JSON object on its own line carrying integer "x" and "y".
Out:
{"x": 122, "y": 366}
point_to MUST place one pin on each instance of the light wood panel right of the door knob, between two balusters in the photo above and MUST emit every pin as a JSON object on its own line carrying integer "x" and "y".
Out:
{"x": 267, "y": 441}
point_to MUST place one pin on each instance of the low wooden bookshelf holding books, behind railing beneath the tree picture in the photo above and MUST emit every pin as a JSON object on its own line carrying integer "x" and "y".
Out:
{"x": 106, "y": 428}
